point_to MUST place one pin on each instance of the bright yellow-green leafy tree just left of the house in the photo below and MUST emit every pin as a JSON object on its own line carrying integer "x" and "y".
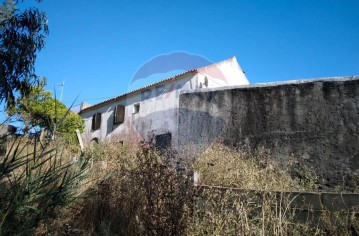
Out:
{"x": 39, "y": 108}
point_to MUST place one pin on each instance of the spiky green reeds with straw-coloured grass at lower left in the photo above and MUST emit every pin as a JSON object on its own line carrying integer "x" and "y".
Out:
{"x": 35, "y": 182}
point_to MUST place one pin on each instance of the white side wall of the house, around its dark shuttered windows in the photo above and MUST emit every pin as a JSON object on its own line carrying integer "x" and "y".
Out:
{"x": 158, "y": 114}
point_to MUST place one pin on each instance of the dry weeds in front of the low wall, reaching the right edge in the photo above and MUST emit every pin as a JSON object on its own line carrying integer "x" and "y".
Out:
{"x": 229, "y": 212}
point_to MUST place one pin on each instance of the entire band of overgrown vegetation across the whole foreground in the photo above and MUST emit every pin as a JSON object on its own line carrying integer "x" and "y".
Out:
{"x": 144, "y": 193}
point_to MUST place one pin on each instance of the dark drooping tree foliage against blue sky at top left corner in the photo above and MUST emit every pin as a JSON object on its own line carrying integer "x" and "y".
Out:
{"x": 22, "y": 36}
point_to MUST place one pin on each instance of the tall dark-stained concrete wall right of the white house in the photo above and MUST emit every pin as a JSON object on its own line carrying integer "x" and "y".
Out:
{"x": 316, "y": 122}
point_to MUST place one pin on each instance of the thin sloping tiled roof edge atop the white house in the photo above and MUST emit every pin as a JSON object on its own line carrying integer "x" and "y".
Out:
{"x": 138, "y": 90}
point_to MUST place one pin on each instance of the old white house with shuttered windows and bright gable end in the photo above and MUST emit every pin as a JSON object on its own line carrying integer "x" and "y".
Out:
{"x": 151, "y": 113}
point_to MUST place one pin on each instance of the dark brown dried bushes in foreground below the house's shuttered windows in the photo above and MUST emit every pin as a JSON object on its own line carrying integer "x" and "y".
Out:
{"x": 142, "y": 194}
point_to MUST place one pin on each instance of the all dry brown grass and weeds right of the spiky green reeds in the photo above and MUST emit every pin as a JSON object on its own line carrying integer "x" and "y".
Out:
{"x": 144, "y": 193}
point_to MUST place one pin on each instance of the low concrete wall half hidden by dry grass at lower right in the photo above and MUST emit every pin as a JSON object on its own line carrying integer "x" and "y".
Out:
{"x": 310, "y": 208}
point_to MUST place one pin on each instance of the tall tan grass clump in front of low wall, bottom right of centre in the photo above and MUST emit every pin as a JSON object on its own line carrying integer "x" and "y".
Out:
{"x": 231, "y": 213}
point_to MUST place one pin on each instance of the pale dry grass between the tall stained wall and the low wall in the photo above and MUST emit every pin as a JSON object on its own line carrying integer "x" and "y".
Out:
{"x": 221, "y": 166}
